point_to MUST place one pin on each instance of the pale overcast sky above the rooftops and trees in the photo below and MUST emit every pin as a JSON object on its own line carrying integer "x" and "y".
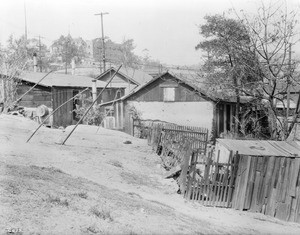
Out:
{"x": 166, "y": 28}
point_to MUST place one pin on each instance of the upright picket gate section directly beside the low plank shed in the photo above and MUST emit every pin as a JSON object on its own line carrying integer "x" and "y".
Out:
{"x": 209, "y": 181}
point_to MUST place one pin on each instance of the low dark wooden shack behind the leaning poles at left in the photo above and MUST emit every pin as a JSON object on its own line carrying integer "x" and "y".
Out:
{"x": 55, "y": 89}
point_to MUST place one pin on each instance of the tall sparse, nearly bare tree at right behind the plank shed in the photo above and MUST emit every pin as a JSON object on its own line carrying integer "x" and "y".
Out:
{"x": 273, "y": 33}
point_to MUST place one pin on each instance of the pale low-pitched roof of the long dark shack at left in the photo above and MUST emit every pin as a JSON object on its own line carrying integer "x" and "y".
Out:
{"x": 63, "y": 80}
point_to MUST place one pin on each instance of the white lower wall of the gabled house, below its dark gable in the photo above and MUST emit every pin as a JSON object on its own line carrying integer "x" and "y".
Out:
{"x": 198, "y": 114}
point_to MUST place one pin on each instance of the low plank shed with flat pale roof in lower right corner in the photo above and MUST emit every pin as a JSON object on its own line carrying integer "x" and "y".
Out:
{"x": 268, "y": 176}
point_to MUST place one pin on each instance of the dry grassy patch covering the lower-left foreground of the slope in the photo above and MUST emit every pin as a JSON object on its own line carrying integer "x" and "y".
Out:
{"x": 49, "y": 197}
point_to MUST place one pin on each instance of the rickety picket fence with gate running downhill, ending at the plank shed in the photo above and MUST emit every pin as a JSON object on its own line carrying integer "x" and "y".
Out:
{"x": 202, "y": 177}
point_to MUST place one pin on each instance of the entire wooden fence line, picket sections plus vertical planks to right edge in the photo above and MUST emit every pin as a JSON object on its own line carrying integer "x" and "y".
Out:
{"x": 263, "y": 184}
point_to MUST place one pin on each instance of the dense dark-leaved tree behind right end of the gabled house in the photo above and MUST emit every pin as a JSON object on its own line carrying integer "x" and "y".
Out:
{"x": 230, "y": 60}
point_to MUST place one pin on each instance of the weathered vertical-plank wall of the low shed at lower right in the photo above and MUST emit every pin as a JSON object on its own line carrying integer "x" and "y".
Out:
{"x": 269, "y": 185}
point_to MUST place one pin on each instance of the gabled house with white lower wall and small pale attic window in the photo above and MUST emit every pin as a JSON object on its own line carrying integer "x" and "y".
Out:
{"x": 175, "y": 98}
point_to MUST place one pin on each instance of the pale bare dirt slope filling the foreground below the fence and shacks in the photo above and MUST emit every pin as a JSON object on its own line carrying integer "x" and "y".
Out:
{"x": 96, "y": 184}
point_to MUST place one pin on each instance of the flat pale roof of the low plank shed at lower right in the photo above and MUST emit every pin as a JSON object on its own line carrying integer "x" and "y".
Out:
{"x": 262, "y": 147}
